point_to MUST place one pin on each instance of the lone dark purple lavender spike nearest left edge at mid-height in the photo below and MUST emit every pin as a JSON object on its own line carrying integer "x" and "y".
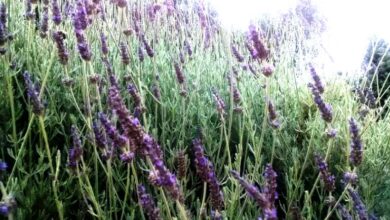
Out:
{"x": 33, "y": 94}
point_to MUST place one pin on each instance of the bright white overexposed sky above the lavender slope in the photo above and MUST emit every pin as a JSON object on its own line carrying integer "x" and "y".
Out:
{"x": 350, "y": 23}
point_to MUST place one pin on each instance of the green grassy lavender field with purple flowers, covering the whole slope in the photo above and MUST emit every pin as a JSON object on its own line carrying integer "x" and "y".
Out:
{"x": 207, "y": 127}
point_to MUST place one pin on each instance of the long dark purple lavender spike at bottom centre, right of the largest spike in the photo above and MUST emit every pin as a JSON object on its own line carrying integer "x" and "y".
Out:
{"x": 205, "y": 170}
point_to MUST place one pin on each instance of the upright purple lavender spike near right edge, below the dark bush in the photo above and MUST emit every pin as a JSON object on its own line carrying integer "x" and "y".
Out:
{"x": 356, "y": 154}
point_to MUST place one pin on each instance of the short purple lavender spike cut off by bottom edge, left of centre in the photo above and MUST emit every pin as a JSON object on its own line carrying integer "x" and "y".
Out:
{"x": 147, "y": 204}
